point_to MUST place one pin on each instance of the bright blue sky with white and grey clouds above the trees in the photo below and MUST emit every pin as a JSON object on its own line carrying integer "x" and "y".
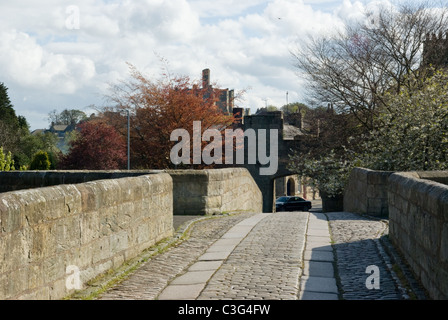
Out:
{"x": 58, "y": 54}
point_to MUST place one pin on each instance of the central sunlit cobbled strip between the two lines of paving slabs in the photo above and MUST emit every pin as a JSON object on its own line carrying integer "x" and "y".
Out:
{"x": 267, "y": 264}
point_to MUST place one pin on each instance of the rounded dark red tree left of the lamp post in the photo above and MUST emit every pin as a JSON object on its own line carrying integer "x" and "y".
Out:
{"x": 98, "y": 146}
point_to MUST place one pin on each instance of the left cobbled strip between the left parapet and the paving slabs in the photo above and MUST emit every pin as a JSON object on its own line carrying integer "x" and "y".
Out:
{"x": 149, "y": 280}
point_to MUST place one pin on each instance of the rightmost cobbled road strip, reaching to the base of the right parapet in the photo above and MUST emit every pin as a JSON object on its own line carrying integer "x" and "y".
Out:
{"x": 360, "y": 244}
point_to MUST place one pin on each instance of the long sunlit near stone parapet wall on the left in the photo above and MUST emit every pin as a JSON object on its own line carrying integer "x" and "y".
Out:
{"x": 91, "y": 227}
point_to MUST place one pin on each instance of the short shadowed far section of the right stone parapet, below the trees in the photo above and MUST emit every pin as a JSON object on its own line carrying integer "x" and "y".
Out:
{"x": 366, "y": 192}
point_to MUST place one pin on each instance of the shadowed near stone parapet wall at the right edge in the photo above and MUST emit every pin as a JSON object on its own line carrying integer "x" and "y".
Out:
{"x": 418, "y": 226}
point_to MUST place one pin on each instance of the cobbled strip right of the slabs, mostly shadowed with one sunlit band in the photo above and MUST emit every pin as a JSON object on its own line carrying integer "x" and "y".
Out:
{"x": 357, "y": 246}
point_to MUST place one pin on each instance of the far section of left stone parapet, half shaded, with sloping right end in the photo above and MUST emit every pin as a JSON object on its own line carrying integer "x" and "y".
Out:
{"x": 215, "y": 191}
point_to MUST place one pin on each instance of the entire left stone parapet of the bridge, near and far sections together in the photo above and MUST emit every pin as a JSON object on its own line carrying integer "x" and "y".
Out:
{"x": 54, "y": 224}
